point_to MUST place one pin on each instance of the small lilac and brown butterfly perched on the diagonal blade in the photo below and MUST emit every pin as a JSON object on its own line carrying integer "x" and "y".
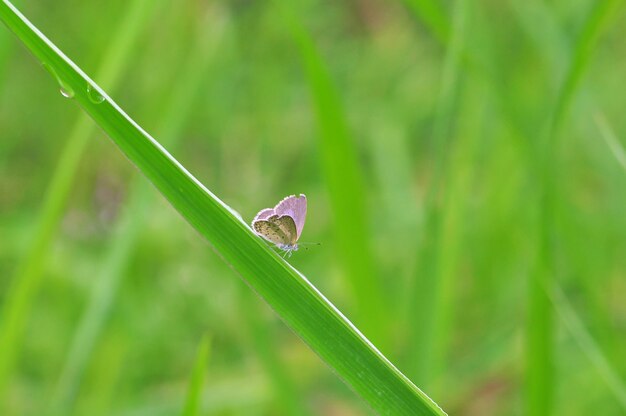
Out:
{"x": 282, "y": 225}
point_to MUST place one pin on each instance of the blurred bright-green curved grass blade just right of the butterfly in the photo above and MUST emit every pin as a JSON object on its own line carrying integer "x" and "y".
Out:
{"x": 344, "y": 181}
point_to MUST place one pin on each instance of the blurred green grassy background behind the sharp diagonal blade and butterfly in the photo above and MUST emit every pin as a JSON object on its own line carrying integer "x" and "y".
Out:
{"x": 454, "y": 155}
